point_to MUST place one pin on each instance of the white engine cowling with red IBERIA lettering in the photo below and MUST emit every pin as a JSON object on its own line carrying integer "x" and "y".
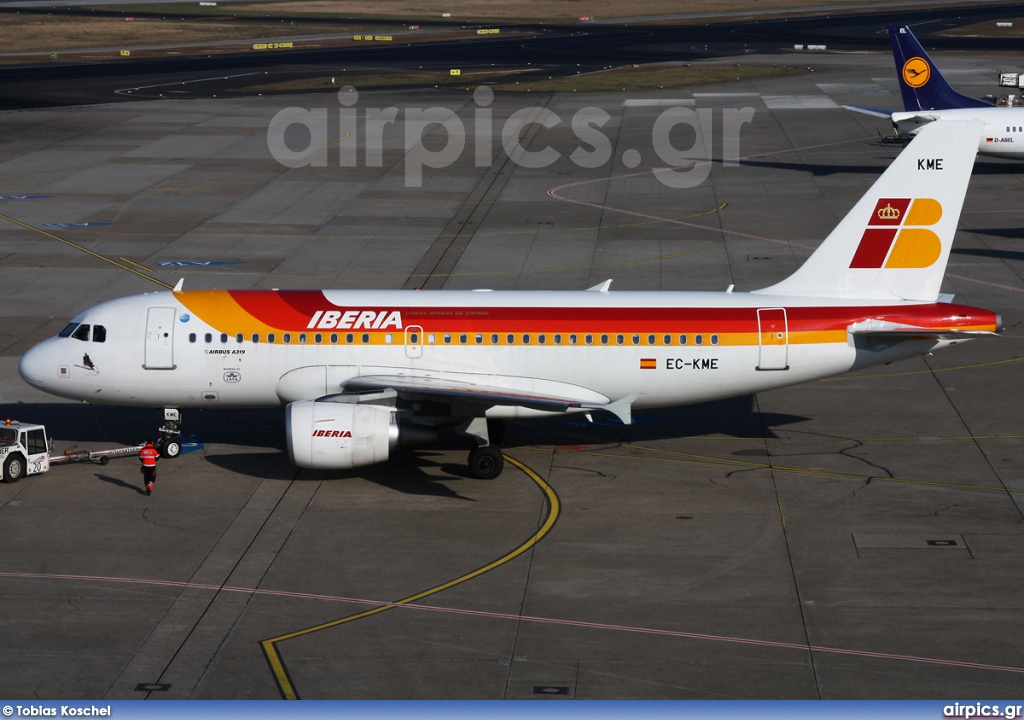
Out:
{"x": 339, "y": 436}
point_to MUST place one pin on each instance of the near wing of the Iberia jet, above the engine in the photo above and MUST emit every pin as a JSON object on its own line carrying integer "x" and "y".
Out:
{"x": 490, "y": 396}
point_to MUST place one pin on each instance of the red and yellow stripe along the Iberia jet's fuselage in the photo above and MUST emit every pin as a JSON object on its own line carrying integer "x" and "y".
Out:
{"x": 292, "y": 312}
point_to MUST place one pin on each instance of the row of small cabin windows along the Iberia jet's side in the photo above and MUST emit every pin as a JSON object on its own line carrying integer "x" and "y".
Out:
{"x": 475, "y": 340}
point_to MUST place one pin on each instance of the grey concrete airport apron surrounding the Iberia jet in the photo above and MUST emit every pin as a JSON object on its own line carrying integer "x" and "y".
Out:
{"x": 854, "y": 538}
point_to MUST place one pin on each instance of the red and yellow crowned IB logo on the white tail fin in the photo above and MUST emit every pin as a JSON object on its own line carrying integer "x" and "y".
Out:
{"x": 898, "y": 235}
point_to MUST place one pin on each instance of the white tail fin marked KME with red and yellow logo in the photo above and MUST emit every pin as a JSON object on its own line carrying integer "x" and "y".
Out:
{"x": 895, "y": 242}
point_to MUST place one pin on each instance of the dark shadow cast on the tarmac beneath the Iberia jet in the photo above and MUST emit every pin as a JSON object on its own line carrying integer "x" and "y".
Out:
{"x": 412, "y": 472}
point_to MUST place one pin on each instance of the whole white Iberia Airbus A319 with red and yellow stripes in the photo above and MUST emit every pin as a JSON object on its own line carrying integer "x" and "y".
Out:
{"x": 362, "y": 373}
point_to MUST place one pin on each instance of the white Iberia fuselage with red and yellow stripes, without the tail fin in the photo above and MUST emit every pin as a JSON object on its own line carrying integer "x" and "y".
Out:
{"x": 208, "y": 350}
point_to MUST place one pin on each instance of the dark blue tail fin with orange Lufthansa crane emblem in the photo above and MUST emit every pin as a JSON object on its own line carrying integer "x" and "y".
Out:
{"x": 920, "y": 81}
